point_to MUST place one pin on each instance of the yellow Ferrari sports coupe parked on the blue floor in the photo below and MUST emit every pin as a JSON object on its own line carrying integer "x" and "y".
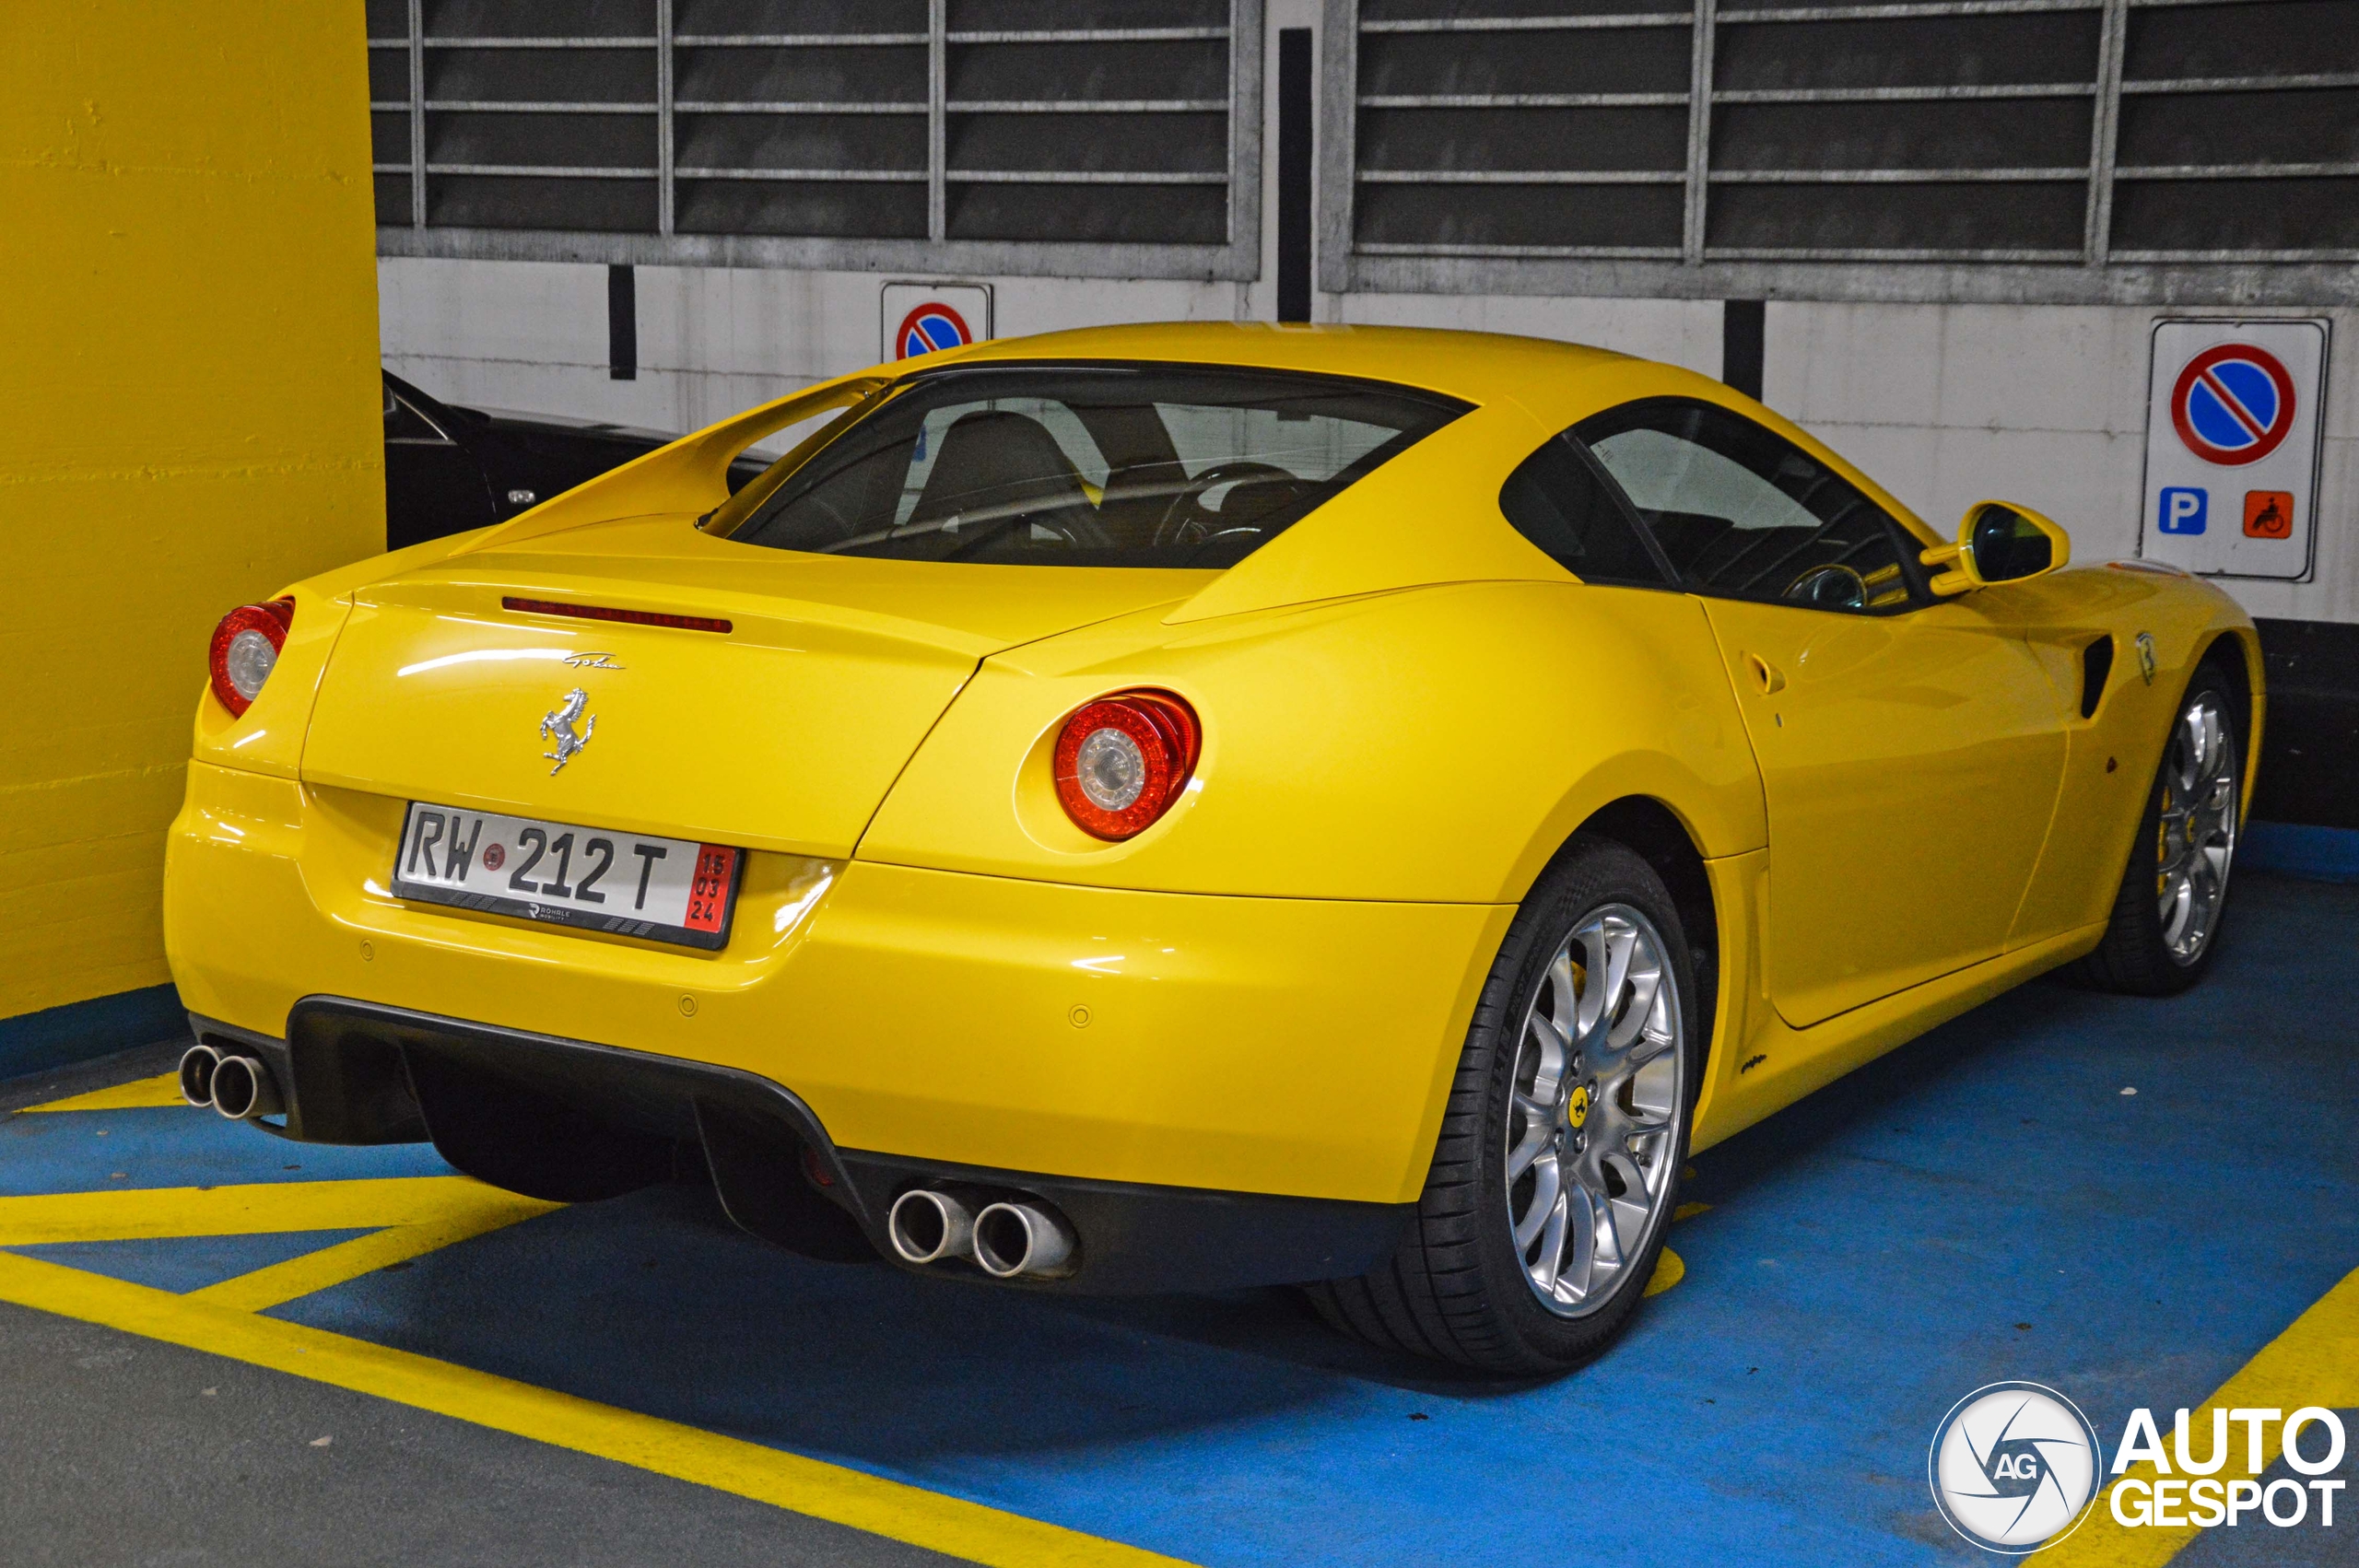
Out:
{"x": 1188, "y": 808}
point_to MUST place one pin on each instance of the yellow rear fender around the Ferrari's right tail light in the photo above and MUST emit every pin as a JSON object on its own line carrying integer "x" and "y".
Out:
{"x": 1428, "y": 746}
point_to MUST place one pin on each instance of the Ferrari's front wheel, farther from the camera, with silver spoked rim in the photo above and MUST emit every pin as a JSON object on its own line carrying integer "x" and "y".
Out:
{"x": 2174, "y": 892}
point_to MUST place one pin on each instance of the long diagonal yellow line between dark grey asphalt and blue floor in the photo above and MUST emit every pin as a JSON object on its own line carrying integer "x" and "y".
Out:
{"x": 669, "y": 1449}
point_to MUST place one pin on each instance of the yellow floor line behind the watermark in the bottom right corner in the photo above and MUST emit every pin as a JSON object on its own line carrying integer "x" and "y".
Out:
{"x": 2313, "y": 1364}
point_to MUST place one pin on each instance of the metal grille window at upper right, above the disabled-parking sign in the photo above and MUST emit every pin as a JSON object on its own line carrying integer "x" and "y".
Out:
{"x": 1905, "y": 150}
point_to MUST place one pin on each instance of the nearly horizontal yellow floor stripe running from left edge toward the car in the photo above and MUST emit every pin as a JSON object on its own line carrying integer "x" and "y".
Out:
{"x": 237, "y": 1211}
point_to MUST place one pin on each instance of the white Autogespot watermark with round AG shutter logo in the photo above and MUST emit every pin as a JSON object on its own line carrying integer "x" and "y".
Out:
{"x": 2018, "y": 1468}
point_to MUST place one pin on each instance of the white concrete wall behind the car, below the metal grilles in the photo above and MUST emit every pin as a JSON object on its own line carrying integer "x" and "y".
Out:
{"x": 1943, "y": 404}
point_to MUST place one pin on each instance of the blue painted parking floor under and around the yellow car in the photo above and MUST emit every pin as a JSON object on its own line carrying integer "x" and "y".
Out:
{"x": 1985, "y": 1204}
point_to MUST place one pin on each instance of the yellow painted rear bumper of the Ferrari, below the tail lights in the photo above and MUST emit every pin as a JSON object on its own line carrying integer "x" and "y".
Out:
{"x": 1221, "y": 1046}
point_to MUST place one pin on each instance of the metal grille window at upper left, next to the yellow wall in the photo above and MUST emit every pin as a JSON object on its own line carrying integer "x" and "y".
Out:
{"x": 1091, "y": 138}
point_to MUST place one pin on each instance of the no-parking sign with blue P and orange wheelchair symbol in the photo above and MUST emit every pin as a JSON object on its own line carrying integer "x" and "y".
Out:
{"x": 2233, "y": 447}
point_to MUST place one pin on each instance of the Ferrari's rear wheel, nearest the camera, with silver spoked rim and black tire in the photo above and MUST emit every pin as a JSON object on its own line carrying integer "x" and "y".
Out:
{"x": 1563, "y": 1140}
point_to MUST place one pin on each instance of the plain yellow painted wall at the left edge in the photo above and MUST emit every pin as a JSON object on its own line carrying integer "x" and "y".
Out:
{"x": 188, "y": 421}
